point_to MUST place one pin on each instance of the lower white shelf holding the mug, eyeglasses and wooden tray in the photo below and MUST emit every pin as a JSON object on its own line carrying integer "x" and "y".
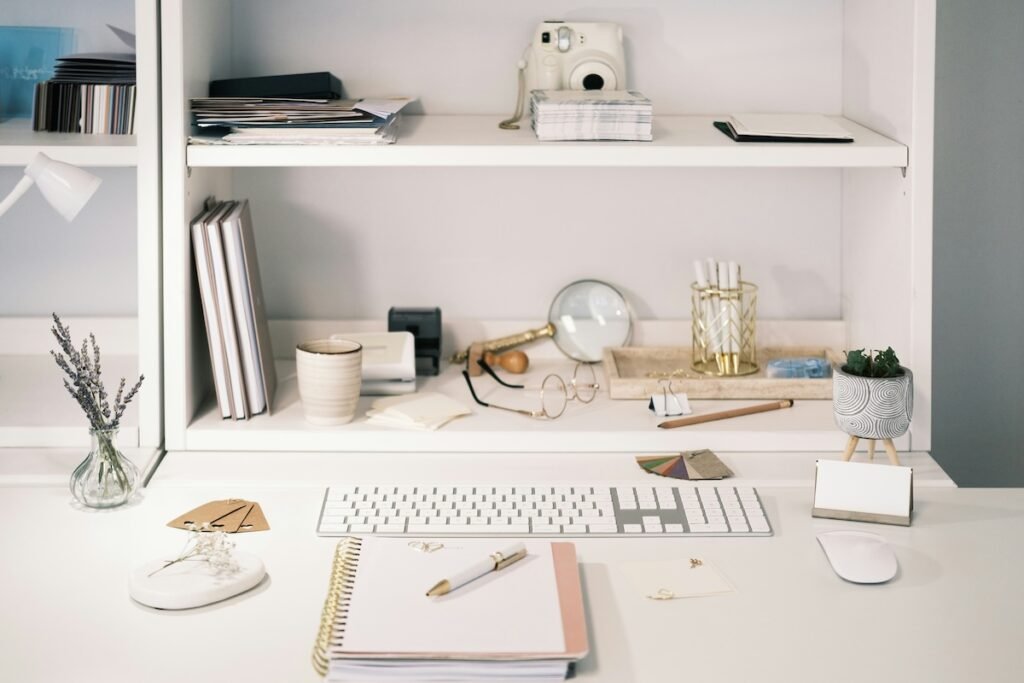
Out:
{"x": 605, "y": 425}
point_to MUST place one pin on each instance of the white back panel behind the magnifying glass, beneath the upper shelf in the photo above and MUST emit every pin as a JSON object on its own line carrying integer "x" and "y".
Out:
{"x": 500, "y": 243}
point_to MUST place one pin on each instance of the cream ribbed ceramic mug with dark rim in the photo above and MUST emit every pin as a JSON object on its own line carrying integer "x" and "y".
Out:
{"x": 330, "y": 373}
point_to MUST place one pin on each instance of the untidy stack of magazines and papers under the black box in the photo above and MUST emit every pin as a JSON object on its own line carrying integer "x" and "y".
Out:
{"x": 295, "y": 121}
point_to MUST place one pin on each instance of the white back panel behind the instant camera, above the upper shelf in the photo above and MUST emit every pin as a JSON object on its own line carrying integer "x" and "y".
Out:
{"x": 690, "y": 57}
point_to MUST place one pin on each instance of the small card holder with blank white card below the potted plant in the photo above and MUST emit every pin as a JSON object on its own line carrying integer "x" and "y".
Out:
{"x": 863, "y": 492}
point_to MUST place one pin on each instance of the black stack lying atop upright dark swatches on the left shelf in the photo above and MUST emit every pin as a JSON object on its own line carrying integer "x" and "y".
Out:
{"x": 90, "y": 94}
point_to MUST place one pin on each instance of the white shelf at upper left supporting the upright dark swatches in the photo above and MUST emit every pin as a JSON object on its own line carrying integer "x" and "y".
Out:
{"x": 19, "y": 145}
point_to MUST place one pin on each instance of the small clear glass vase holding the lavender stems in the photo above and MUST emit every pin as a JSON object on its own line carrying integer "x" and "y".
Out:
{"x": 106, "y": 479}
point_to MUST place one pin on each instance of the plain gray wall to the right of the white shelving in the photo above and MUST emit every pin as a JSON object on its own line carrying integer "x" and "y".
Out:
{"x": 978, "y": 333}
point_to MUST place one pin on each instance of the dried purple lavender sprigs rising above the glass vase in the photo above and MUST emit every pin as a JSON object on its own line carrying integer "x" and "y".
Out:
{"x": 84, "y": 381}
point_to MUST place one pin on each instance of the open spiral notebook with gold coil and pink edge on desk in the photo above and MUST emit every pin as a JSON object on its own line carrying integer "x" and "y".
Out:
{"x": 525, "y": 622}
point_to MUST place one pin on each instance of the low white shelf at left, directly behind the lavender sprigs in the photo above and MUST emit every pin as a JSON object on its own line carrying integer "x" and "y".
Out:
{"x": 37, "y": 412}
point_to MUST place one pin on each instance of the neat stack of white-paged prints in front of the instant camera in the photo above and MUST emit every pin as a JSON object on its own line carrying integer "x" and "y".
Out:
{"x": 591, "y": 115}
